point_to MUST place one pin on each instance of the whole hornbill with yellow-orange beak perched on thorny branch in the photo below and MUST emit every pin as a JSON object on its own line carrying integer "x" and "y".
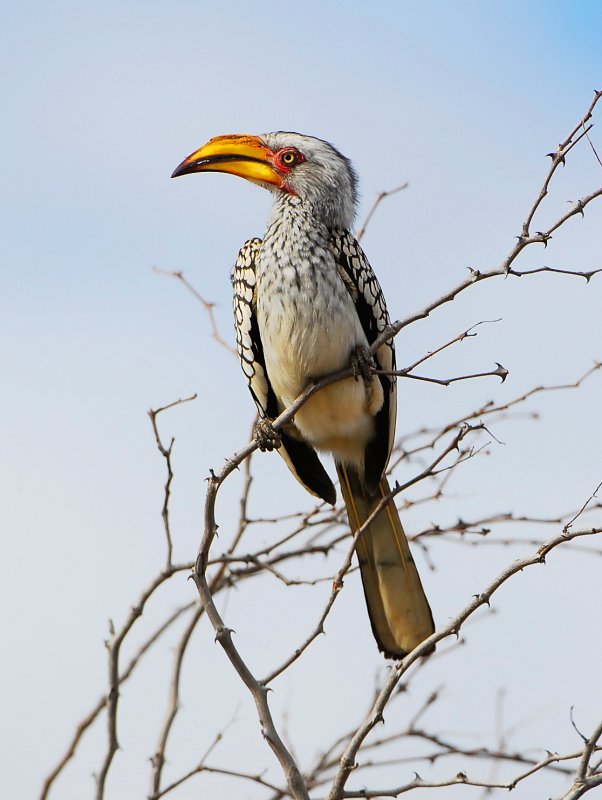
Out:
{"x": 307, "y": 304}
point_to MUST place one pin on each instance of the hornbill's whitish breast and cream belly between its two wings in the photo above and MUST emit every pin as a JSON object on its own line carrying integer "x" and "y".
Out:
{"x": 309, "y": 328}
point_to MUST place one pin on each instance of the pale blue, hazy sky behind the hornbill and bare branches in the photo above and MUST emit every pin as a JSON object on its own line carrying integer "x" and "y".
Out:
{"x": 100, "y": 102}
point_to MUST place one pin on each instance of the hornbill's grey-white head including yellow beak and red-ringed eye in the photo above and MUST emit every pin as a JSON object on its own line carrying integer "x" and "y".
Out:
{"x": 287, "y": 164}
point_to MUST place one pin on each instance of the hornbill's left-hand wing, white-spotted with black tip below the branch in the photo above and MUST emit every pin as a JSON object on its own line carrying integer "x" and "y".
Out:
{"x": 299, "y": 456}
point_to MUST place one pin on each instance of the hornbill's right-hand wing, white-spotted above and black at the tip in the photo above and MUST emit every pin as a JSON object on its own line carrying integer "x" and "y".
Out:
{"x": 363, "y": 285}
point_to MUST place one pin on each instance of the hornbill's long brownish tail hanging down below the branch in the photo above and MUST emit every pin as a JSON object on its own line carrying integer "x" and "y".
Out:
{"x": 399, "y": 611}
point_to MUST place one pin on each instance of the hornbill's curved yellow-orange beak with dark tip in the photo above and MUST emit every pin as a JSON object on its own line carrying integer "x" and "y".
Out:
{"x": 245, "y": 156}
